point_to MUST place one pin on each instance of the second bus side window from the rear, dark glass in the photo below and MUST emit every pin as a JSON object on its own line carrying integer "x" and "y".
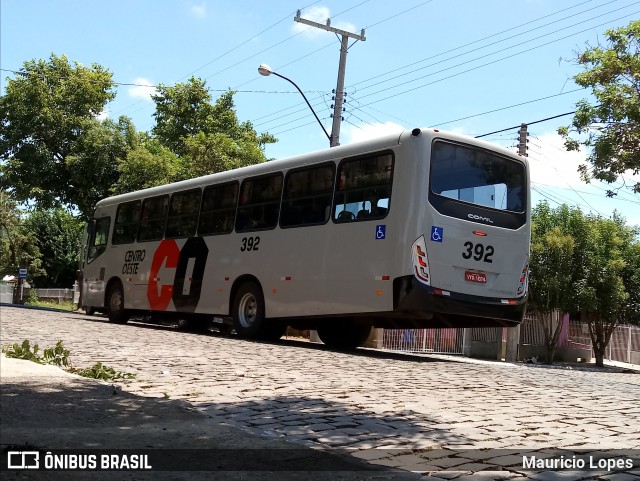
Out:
{"x": 307, "y": 196}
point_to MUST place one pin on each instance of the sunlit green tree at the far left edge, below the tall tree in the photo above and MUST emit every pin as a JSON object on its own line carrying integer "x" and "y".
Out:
{"x": 18, "y": 247}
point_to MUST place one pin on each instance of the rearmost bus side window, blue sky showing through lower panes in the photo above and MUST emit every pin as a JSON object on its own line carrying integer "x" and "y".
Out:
{"x": 364, "y": 190}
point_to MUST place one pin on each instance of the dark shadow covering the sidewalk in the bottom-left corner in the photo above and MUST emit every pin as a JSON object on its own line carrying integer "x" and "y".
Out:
{"x": 78, "y": 414}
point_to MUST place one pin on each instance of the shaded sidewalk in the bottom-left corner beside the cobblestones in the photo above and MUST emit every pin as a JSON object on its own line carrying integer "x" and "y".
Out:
{"x": 45, "y": 408}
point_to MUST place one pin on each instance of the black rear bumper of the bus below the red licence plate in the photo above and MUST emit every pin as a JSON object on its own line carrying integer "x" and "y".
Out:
{"x": 440, "y": 308}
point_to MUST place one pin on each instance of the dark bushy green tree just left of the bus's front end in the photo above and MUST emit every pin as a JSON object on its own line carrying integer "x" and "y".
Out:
{"x": 58, "y": 236}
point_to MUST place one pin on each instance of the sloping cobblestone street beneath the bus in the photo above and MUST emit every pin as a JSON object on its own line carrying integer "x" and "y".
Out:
{"x": 393, "y": 409}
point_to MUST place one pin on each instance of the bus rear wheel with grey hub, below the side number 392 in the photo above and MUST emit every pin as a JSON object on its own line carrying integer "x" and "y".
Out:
{"x": 248, "y": 314}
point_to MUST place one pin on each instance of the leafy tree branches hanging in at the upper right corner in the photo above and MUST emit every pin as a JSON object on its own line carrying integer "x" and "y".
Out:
{"x": 612, "y": 125}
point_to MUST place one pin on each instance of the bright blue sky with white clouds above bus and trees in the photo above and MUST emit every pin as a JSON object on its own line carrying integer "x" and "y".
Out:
{"x": 465, "y": 66}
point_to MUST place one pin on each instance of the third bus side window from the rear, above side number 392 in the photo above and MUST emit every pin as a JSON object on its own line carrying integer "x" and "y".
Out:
{"x": 259, "y": 203}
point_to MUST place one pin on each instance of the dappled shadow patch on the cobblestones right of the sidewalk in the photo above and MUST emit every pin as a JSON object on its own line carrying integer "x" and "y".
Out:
{"x": 317, "y": 421}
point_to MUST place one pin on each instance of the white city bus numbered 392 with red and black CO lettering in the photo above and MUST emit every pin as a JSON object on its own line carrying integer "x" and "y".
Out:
{"x": 417, "y": 230}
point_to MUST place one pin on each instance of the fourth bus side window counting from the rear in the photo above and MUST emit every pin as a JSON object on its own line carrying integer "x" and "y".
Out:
{"x": 218, "y": 210}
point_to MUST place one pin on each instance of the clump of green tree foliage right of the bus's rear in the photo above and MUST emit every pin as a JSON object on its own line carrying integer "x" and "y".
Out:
{"x": 587, "y": 265}
